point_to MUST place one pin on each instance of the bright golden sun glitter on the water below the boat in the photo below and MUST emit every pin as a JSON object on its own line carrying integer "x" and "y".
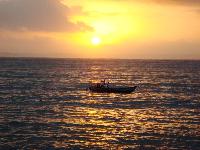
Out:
{"x": 101, "y": 126}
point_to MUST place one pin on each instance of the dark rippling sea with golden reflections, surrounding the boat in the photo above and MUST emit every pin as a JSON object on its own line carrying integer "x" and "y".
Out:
{"x": 44, "y": 104}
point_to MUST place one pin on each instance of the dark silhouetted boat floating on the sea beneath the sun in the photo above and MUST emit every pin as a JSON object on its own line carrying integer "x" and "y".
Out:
{"x": 106, "y": 88}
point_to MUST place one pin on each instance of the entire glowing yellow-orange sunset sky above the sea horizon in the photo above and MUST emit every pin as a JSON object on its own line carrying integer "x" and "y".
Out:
{"x": 133, "y": 29}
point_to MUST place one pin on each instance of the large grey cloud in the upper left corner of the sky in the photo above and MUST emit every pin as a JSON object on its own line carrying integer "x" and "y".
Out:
{"x": 38, "y": 15}
